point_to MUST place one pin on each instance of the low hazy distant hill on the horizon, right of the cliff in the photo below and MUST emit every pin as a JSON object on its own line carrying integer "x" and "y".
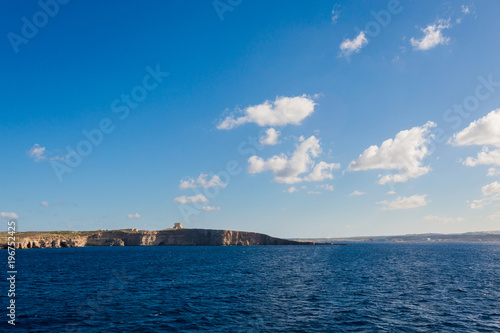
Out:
{"x": 481, "y": 236}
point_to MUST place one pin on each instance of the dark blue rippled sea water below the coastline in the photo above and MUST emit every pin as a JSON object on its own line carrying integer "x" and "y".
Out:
{"x": 424, "y": 287}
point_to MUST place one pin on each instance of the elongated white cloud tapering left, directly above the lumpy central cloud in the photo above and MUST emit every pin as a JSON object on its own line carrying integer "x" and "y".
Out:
{"x": 283, "y": 111}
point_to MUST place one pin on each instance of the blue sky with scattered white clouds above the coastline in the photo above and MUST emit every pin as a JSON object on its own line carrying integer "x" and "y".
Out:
{"x": 176, "y": 97}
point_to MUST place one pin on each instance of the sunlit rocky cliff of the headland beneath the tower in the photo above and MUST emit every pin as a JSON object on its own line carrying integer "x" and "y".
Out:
{"x": 147, "y": 238}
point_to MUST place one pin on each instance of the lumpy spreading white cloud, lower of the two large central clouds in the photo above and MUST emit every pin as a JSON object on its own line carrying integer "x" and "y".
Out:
{"x": 288, "y": 169}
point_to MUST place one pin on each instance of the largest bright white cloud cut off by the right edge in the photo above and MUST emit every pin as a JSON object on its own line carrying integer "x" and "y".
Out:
{"x": 482, "y": 132}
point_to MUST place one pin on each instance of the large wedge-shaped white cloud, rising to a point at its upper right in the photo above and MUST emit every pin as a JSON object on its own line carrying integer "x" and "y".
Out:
{"x": 403, "y": 153}
